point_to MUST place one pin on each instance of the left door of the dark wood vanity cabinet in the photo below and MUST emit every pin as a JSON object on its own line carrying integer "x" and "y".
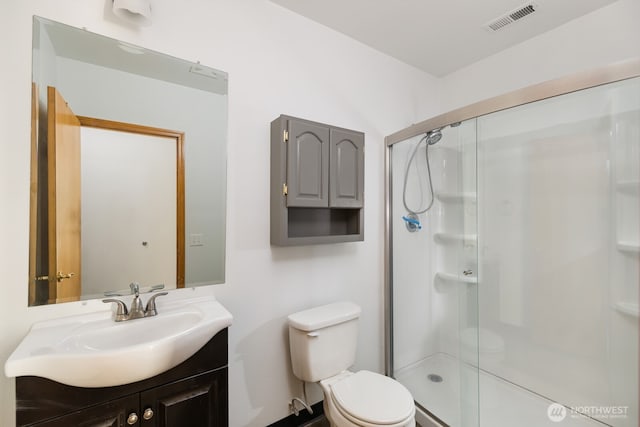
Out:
{"x": 111, "y": 414}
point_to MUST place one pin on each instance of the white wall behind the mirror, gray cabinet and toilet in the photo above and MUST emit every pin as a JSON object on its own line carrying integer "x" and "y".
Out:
{"x": 278, "y": 63}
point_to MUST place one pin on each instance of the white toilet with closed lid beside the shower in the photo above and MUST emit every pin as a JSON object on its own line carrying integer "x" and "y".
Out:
{"x": 323, "y": 342}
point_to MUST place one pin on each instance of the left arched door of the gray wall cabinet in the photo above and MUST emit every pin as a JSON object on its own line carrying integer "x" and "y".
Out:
{"x": 307, "y": 165}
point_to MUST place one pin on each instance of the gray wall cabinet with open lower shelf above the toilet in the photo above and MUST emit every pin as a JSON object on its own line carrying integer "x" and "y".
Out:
{"x": 317, "y": 183}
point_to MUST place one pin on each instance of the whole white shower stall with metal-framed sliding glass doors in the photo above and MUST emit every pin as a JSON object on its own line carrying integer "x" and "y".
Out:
{"x": 513, "y": 257}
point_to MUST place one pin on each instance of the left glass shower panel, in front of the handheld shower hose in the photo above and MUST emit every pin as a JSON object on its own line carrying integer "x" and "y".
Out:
{"x": 434, "y": 273}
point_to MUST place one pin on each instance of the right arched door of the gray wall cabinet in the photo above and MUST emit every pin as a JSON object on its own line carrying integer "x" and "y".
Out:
{"x": 346, "y": 185}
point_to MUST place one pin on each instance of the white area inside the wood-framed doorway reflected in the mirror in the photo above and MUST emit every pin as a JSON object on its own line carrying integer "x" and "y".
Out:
{"x": 129, "y": 210}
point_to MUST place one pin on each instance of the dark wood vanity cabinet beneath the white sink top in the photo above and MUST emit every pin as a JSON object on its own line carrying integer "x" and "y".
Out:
{"x": 193, "y": 394}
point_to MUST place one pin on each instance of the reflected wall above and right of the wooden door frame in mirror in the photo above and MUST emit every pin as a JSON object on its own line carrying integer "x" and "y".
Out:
{"x": 205, "y": 152}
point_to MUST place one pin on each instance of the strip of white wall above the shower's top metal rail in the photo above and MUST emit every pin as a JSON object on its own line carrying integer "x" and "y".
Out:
{"x": 602, "y": 37}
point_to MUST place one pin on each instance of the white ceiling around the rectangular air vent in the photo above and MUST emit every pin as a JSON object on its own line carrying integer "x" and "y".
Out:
{"x": 438, "y": 36}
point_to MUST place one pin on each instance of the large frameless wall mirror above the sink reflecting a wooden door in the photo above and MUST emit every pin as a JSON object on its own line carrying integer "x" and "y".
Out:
{"x": 128, "y": 168}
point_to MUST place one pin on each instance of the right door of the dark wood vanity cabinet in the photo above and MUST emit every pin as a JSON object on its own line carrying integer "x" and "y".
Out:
{"x": 198, "y": 401}
